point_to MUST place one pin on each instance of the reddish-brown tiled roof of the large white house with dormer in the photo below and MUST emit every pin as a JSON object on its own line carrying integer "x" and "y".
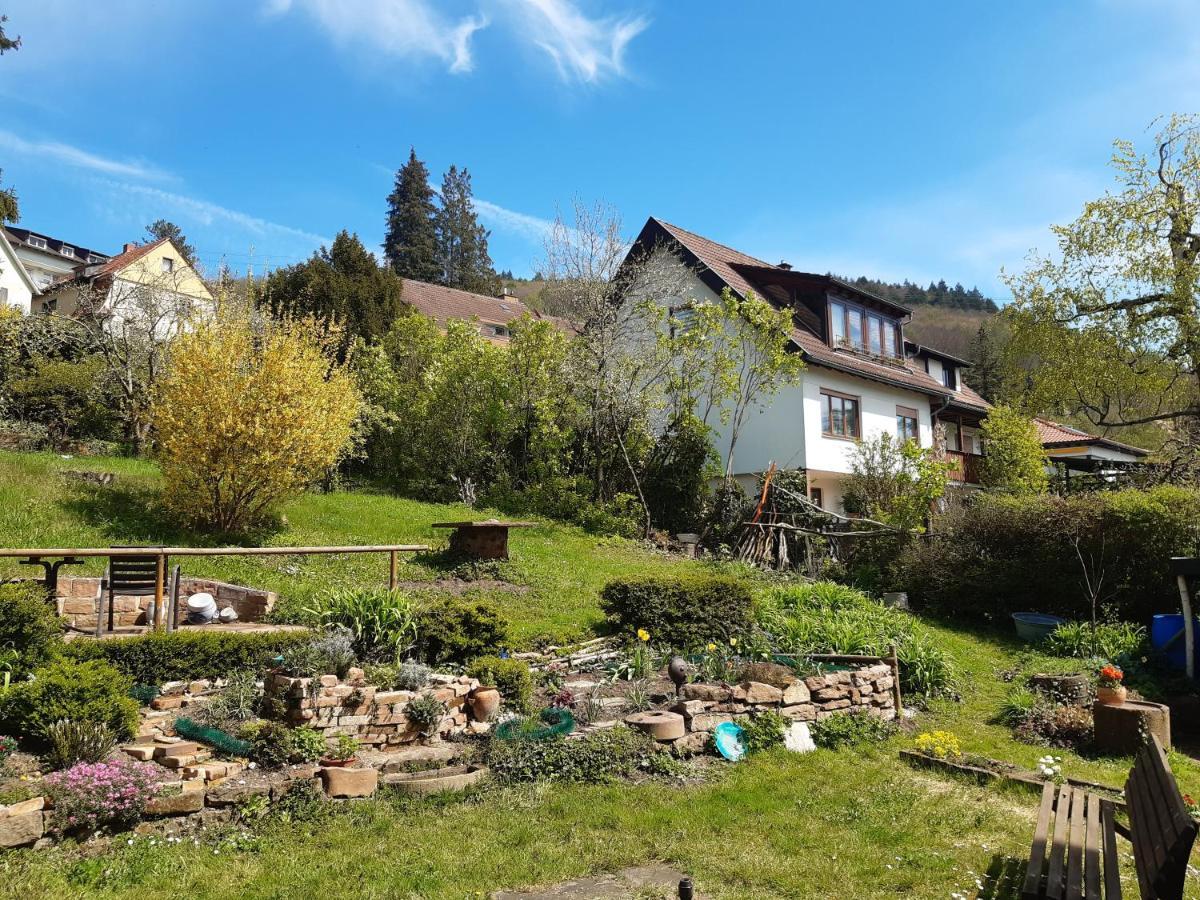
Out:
{"x": 722, "y": 261}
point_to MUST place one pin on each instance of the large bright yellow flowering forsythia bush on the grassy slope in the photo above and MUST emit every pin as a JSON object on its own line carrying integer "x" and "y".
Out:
{"x": 248, "y": 416}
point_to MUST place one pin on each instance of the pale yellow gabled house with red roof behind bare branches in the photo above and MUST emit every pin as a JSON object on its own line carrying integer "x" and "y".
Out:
{"x": 152, "y": 284}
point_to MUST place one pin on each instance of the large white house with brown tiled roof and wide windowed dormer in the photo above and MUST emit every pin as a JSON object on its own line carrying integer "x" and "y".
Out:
{"x": 862, "y": 377}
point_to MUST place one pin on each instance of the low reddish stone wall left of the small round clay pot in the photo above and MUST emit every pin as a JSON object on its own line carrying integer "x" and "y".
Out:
{"x": 376, "y": 718}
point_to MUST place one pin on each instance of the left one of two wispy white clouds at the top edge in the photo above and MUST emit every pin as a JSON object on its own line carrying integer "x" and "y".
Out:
{"x": 410, "y": 29}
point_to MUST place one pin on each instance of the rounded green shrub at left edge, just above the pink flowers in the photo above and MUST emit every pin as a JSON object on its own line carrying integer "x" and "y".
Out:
{"x": 86, "y": 693}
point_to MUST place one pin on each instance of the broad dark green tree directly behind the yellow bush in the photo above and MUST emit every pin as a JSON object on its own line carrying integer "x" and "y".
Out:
{"x": 343, "y": 284}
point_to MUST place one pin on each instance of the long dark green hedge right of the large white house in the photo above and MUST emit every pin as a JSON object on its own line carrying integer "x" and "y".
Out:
{"x": 1000, "y": 554}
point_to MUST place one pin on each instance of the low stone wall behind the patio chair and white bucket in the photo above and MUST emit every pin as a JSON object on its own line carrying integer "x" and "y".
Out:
{"x": 77, "y": 602}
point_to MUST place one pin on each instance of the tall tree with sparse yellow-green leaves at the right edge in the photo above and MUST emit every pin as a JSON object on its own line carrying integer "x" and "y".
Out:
{"x": 1109, "y": 327}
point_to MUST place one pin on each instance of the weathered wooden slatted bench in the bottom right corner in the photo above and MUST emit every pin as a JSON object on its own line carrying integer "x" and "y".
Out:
{"x": 1075, "y": 853}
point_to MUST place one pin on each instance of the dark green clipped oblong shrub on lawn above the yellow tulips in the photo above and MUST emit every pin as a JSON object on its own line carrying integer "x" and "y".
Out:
{"x": 680, "y": 613}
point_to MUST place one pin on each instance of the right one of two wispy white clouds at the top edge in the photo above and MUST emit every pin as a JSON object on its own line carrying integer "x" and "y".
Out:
{"x": 583, "y": 49}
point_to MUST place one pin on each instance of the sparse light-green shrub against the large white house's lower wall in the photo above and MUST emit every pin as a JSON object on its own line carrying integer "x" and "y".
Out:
{"x": 895, "y": 483}
